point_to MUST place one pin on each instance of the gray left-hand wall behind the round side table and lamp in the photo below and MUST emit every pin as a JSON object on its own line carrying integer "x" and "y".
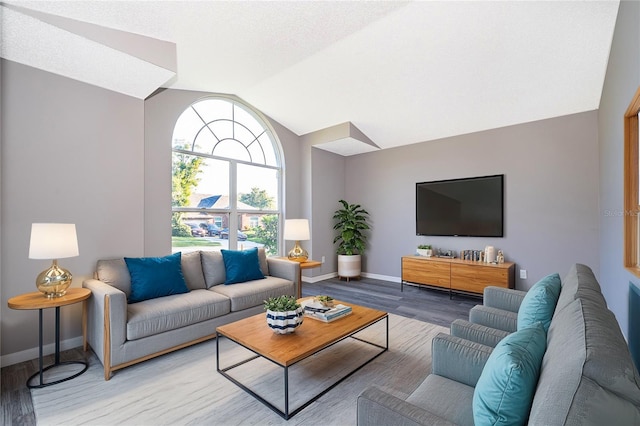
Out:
{"x": 71, "y": 152}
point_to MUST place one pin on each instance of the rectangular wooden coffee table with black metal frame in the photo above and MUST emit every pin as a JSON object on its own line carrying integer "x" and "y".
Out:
{"x": 285, "y": 350}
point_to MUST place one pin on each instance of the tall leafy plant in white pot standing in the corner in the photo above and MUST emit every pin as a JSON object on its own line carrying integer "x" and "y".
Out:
{"x": 351, "y": 224}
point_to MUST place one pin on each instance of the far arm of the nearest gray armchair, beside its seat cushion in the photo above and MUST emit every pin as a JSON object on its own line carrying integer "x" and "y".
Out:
{"x": 458, "y": 359}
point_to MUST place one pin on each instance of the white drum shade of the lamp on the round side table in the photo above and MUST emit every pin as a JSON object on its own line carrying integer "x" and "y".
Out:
{"x": 53, "y": 241}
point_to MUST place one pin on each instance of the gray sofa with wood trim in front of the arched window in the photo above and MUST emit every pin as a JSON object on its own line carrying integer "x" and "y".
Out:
{"x": 122, "y": 334}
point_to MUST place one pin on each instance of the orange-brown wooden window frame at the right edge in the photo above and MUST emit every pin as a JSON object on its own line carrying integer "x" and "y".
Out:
{"x": 631, "y": 197}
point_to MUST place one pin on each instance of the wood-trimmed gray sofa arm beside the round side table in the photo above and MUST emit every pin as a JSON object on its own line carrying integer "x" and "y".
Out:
{"x": 106, "y": 320}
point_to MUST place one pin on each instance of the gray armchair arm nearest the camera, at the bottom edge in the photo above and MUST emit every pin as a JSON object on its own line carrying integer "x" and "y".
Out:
{"x": 376, "y": 407}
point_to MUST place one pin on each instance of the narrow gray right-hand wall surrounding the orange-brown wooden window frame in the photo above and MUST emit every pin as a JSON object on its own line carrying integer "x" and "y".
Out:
{"x": 622, "y": 81}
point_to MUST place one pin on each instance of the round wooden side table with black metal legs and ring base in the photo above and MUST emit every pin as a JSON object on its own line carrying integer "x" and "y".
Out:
{"x": 38, "y": 300}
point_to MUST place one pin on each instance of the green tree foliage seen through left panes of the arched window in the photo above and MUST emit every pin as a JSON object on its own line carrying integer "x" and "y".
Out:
{"x": 184, "y": 178}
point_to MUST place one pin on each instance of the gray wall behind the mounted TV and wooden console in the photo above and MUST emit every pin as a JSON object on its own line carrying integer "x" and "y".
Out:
{"x": 551, "y": 194}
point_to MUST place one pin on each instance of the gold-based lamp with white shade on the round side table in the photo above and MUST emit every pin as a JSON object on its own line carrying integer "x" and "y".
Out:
{"x": 53, "y": 241}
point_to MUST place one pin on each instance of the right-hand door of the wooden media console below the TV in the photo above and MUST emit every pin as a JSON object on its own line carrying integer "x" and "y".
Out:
{"x": 474, "y": 278}
